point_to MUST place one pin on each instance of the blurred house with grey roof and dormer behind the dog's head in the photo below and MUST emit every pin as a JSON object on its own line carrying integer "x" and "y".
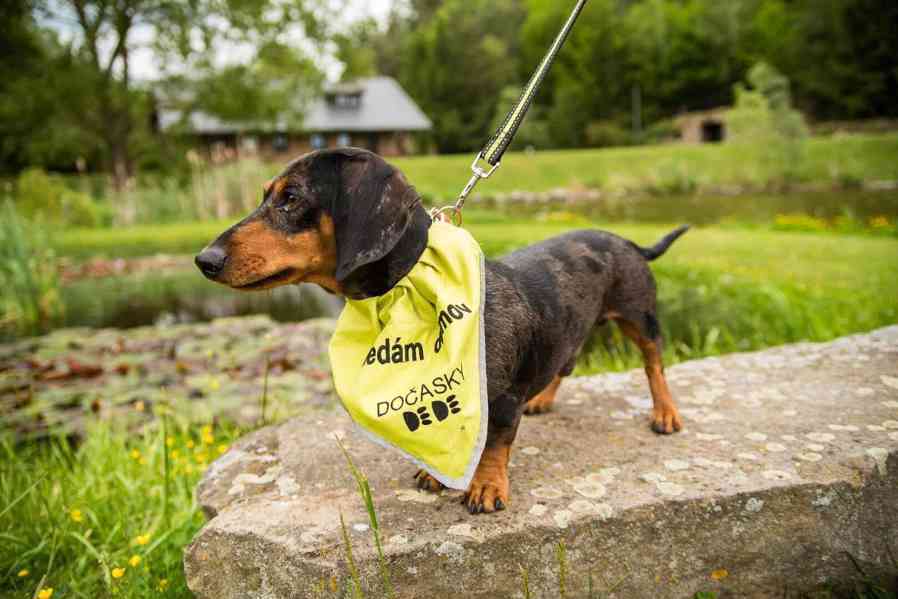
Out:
{"x": 373, "y": 113}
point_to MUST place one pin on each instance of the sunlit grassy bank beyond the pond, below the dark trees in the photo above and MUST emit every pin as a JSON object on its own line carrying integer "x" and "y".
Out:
{"x": 829, "y": 160}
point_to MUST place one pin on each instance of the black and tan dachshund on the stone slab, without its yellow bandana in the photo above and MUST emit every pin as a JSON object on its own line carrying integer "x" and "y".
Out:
{"x": 349, "y": 222}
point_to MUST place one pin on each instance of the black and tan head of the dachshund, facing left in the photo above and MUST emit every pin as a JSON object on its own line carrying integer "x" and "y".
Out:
{"x": 344, "y": 219}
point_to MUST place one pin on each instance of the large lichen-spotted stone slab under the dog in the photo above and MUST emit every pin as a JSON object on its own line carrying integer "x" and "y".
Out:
{"x": 787, "y": 471}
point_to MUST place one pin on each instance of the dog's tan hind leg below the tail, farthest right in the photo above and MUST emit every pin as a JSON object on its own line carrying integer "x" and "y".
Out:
{"x": 645, "y": 334}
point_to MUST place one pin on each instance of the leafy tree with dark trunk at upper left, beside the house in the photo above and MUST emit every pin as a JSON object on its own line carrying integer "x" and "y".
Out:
{"x": 185, "y": 37}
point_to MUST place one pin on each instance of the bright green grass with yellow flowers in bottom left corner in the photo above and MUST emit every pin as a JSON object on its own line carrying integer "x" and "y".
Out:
{"x": 73, "y": 517}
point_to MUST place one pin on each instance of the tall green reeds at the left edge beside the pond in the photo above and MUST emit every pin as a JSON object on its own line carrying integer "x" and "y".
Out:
{"x": 28, "y": 275}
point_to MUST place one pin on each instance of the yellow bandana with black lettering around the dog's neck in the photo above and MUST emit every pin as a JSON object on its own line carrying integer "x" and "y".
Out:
{"x": 409, "y": 365}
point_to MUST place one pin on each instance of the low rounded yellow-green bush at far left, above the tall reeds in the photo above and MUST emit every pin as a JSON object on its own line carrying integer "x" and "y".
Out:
{"x": 40, "y": 196}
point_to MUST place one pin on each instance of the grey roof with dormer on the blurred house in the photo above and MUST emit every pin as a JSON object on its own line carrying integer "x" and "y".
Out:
{"x": 383, "y": 106}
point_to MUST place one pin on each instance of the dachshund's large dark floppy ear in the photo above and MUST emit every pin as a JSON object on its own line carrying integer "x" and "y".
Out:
{"x": 379, "y": 223}
